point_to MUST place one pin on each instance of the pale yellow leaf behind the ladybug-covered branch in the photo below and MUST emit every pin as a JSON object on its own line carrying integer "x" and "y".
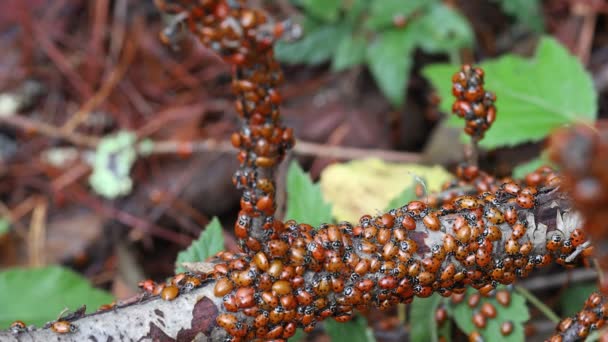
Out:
{"x": 367, "y": 186}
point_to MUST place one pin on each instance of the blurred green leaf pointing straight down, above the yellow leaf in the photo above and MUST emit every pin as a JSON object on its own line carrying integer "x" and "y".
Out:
{"x": 389, "y": 60}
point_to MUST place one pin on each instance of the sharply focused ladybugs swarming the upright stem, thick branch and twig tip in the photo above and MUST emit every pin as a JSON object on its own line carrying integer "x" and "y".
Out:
{"x": 291, "y": 275}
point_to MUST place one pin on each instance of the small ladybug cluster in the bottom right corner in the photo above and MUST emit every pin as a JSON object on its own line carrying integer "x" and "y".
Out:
{"x": 591, "y": 317}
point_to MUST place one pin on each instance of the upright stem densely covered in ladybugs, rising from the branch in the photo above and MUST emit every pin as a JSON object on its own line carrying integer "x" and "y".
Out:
{"x": 244, "y": 37}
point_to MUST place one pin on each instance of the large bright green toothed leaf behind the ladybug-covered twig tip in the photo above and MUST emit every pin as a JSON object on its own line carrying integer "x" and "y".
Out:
{"x": 533, "y": 98}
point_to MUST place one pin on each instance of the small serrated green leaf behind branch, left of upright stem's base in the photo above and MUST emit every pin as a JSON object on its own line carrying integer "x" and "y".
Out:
{"x": 208, "y": 244}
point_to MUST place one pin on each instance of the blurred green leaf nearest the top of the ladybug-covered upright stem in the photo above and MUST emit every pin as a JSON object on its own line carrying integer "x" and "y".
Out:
{"x": 317, "y": 46}
